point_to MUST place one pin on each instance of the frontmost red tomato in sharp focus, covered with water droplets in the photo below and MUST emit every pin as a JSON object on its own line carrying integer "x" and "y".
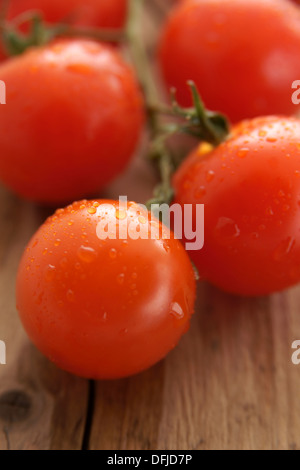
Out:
{"x": 104, "y": 308}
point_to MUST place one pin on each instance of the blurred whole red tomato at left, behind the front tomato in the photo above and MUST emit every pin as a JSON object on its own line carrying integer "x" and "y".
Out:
{"x": 73, "y": 117}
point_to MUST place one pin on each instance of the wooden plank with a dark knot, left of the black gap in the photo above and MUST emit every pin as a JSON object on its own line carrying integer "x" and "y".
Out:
{"x": 40, "y": 406}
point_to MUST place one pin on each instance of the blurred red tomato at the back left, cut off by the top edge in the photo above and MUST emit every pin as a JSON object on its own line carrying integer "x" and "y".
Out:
{"x": 102, "y": 13}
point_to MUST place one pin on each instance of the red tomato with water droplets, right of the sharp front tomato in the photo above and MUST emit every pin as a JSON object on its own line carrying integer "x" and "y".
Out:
{"x": 250, "y": 186}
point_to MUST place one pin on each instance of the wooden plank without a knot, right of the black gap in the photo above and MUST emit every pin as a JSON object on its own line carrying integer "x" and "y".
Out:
{"x": 230, "y": 384}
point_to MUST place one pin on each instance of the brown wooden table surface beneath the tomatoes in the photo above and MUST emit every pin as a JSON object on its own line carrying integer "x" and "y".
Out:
{"x": 230, "y": 384}
